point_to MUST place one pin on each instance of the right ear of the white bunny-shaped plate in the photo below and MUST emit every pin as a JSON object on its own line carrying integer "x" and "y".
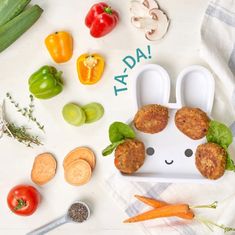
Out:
{"x": 195, "y": 87}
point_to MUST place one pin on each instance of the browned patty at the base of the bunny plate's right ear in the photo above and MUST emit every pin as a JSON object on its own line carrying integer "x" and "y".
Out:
{"x": 193, "y": 122}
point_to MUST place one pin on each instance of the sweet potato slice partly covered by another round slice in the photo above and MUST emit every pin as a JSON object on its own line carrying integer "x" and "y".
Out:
{"x": 83, "y": 153}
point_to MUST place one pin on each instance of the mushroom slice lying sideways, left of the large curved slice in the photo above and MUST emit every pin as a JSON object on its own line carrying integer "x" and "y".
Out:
{"x": 145, "y": 23}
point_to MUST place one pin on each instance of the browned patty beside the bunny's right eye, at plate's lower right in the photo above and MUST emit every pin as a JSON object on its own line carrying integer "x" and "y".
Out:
{"x": 211, "y": 160}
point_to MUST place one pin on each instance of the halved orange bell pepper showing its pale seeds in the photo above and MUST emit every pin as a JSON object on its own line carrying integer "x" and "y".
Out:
{"x": 90, "y": 68}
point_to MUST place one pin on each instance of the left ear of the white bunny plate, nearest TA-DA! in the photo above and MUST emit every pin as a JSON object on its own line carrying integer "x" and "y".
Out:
{"x": 152, "y": 85}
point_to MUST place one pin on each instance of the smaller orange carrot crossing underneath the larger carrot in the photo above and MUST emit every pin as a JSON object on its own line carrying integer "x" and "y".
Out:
{"x": 157, "y": 203}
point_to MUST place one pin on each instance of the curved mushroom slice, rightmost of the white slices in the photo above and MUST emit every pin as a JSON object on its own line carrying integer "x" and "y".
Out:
{"x": 162, "y": 25}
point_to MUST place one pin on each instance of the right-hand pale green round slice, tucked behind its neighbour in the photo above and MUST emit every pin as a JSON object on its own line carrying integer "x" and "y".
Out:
{"x": 93, "y": 111}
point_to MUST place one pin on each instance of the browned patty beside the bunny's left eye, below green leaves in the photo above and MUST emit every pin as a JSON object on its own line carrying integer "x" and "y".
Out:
{"x": 129, "y": 156}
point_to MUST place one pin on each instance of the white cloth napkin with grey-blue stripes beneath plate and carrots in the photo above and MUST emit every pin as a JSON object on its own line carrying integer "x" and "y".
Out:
{"x": 218, "y": 49}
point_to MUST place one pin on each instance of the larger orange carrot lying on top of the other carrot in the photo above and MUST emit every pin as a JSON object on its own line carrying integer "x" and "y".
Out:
{"x": 165, "y": 211}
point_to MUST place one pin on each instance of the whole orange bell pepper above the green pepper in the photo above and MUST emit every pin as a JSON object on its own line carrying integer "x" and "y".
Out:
{"x": 60, "y": 46}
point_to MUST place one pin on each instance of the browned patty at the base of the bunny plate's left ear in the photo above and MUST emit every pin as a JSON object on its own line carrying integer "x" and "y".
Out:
{"x": 151, "y": 118}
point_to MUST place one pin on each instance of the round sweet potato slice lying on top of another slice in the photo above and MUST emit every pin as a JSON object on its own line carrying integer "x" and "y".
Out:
{"x": 78, "y": 172}
